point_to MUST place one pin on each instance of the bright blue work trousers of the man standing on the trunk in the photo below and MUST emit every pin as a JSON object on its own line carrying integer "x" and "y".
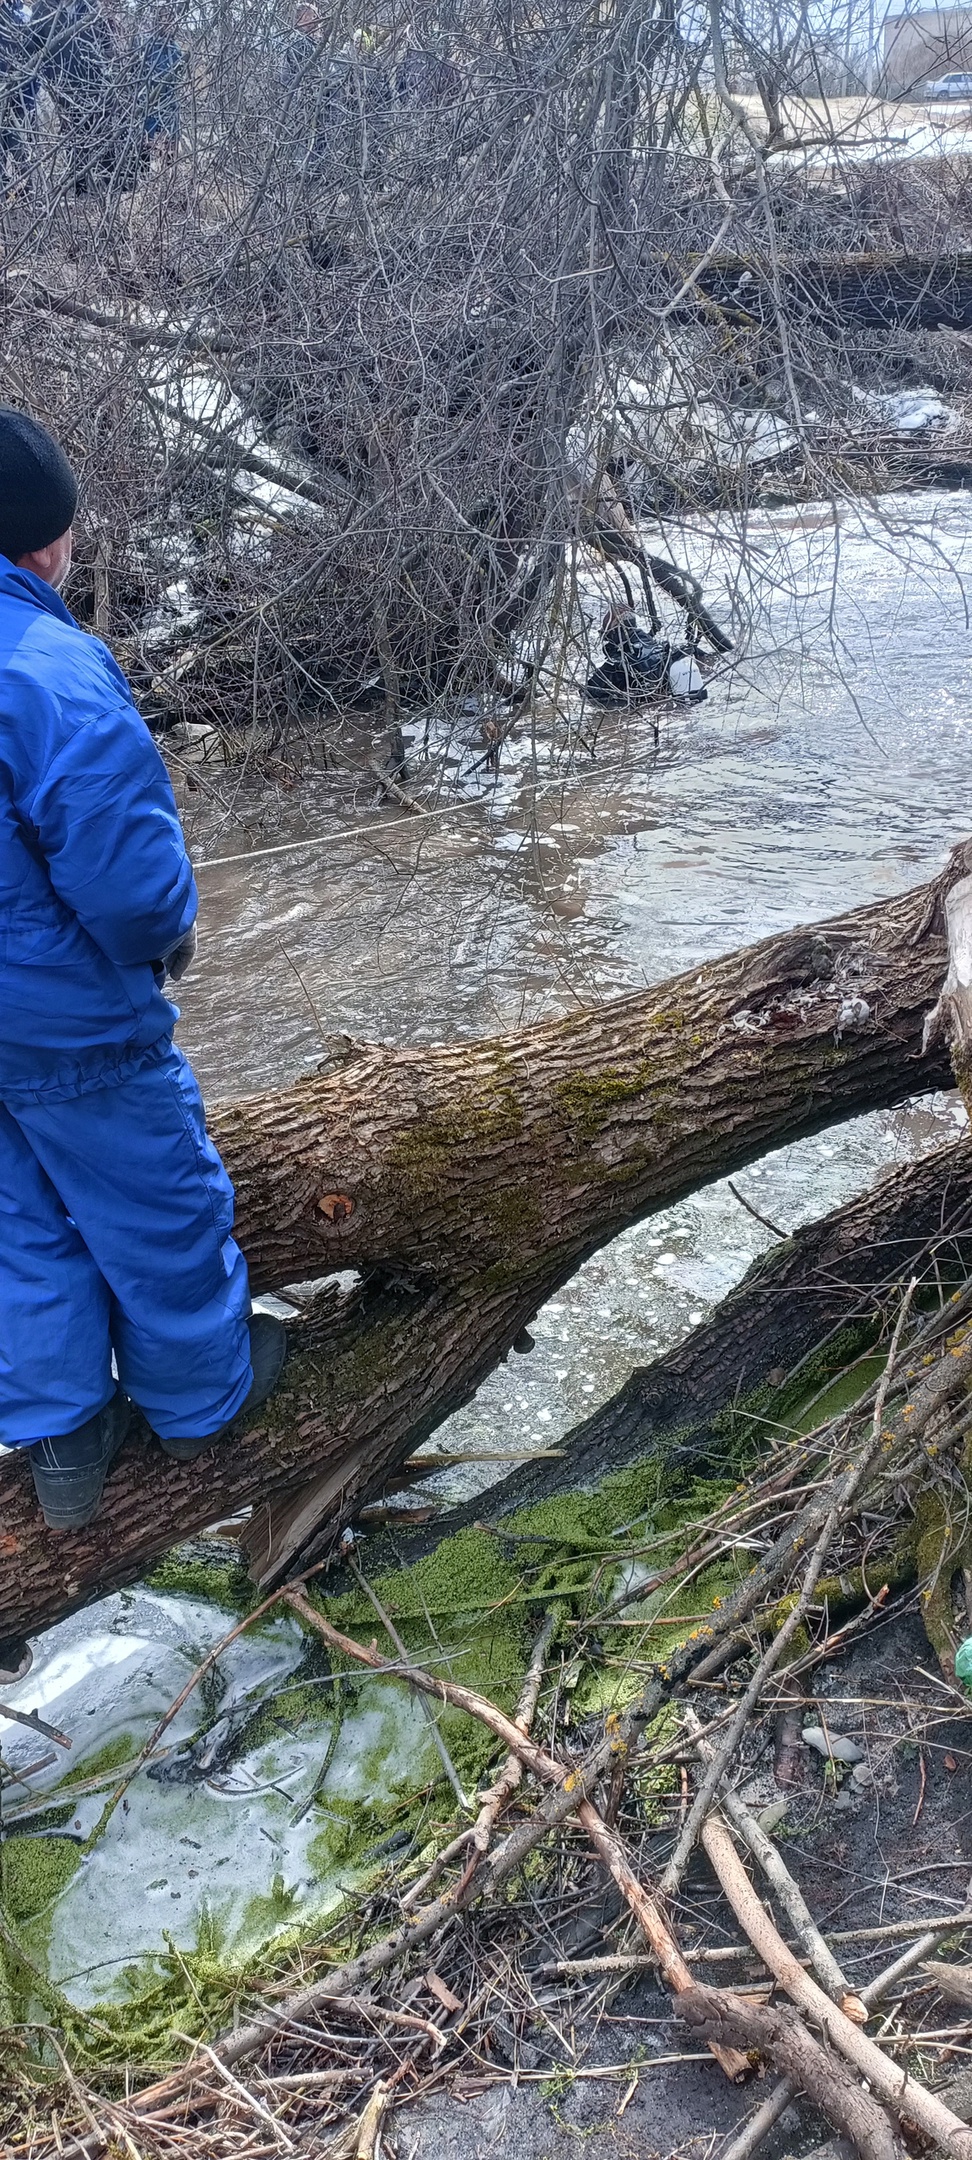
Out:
{"x": 116, "y": 1234}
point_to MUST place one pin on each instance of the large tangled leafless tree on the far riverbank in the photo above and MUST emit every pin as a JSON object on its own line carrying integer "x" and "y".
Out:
{"x": 357, "y": 329}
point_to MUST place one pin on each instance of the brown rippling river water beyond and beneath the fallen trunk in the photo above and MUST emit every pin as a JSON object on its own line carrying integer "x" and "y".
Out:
{"x": 831, "y": 766}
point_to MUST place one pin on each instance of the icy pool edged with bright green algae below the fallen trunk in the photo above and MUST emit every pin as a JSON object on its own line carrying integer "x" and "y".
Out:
{"x": 332, "y": 1781}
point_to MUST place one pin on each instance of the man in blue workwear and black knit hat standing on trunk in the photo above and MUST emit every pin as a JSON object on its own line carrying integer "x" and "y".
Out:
{"x": 116, "y": 1211}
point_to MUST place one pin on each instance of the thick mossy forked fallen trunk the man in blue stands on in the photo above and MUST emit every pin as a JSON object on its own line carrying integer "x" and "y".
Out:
{"x": 470, "y": 1183}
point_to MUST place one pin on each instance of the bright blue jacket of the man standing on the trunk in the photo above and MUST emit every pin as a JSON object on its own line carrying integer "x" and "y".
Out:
{"x": 96, "y": 885}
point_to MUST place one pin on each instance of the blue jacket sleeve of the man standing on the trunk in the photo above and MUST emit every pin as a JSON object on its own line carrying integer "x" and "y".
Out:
{"x": 107, "y": 824}
